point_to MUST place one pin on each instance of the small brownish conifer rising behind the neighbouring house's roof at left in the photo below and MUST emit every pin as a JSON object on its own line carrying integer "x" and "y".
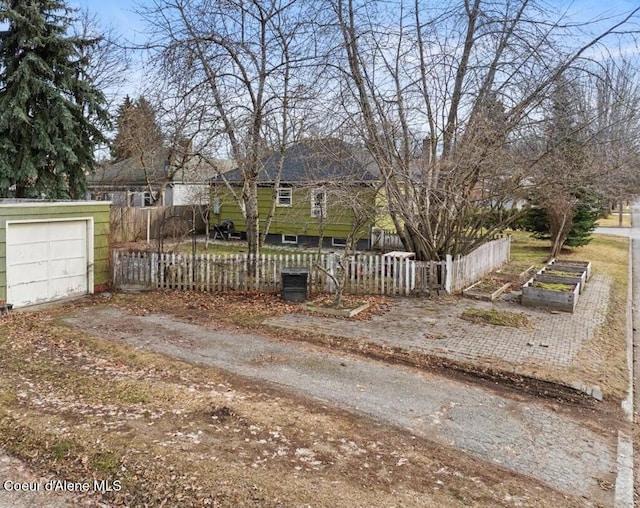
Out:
{"x": 138, "y": 132}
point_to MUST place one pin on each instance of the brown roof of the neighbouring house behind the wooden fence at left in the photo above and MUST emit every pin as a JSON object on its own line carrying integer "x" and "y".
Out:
{"x": 155, "y": 167}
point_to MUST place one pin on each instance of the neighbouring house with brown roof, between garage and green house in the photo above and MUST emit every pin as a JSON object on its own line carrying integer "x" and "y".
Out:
{"x": 160, "y": 178}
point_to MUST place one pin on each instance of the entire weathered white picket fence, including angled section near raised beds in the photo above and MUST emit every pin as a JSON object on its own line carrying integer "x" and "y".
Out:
{"x": 372, "y": 274}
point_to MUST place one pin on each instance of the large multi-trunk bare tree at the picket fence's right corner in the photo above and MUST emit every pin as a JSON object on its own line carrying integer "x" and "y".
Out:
{"x": 441, "y": 96}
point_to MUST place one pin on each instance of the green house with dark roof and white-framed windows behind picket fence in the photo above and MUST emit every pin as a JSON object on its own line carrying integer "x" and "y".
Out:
{"x": 314, "y": 198}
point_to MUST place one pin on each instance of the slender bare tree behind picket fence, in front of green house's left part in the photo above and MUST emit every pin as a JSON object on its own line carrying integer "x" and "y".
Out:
{"x": 243, "y": 61}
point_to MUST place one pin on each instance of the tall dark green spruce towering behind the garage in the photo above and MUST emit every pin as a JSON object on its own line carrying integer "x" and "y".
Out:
{"x": 51, "y": 115}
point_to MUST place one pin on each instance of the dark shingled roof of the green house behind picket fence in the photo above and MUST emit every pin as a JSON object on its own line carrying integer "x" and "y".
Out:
{"x": 327, "y": 159}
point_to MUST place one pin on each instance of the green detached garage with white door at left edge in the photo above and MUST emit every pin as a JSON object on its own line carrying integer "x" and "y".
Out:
{"x": 52, "y": 250}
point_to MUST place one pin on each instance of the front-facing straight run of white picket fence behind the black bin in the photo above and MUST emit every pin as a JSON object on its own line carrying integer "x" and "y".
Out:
{"x": 366, "y": 274}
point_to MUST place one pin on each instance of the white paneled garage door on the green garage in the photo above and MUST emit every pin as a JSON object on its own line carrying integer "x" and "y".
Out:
{"x": 46, "y": 261}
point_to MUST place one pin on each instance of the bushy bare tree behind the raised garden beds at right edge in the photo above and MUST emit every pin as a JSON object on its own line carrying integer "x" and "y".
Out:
{"x": 585, "y": 149}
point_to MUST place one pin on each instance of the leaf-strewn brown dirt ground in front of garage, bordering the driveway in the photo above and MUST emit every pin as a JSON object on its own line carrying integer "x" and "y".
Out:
{"x": 77, "y": 408}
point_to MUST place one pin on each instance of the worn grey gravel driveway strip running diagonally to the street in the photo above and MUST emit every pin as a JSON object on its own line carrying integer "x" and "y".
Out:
{"x": 524, "y": 435}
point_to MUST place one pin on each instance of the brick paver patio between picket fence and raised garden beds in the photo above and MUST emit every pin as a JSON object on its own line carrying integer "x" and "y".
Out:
{"x": 434, "y": 327}
